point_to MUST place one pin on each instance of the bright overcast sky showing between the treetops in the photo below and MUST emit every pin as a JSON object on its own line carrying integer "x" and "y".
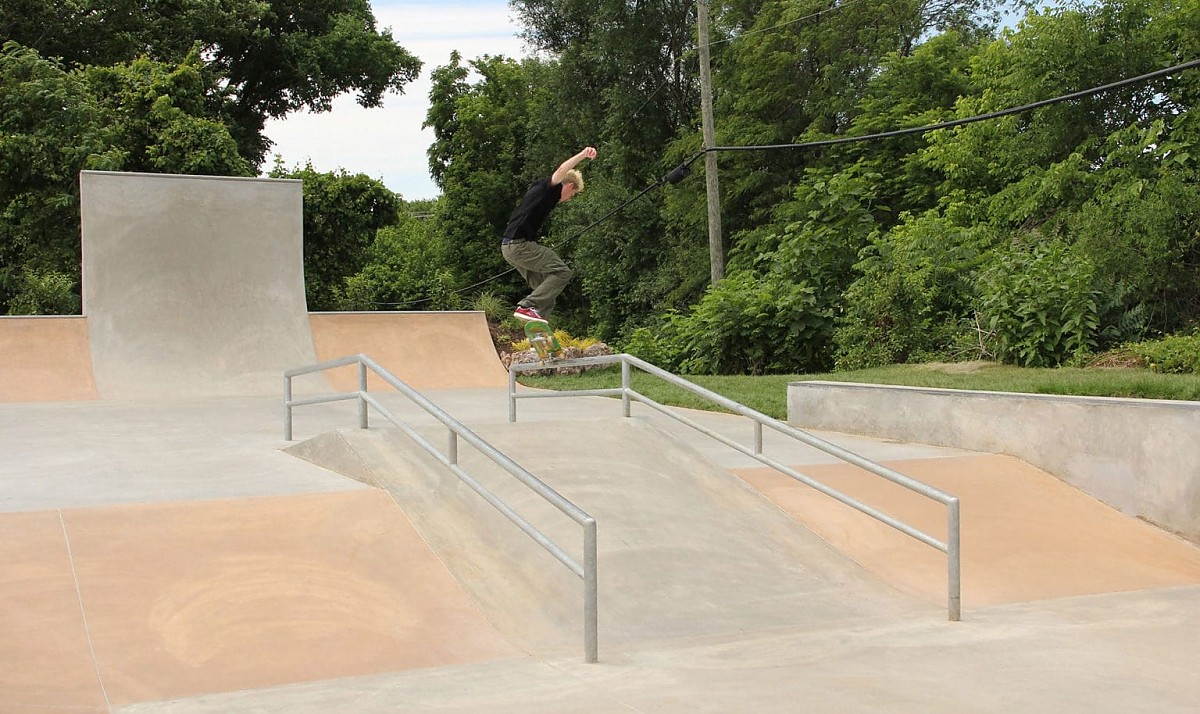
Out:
{"x": 388, "y": 143}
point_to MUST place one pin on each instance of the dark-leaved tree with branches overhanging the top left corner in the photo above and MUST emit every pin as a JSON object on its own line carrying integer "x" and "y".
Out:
{"x": 263, "y": 59}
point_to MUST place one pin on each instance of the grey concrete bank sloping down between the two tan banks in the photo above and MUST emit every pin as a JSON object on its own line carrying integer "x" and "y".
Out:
{"x": 686, "y": 550}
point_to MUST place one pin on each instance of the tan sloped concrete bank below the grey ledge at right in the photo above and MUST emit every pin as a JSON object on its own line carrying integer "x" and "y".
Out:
{"x": 1027, "y": 536}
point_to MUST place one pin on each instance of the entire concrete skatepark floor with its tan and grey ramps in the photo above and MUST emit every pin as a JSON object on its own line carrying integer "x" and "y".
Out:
{"x": 166, "y": 550}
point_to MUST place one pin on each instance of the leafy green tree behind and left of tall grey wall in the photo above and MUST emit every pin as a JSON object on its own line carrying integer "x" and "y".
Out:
{"x": 57, "y": 122}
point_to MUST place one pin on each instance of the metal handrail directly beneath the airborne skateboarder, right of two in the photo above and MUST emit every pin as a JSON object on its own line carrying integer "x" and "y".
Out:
{"x": 952, "y": 548}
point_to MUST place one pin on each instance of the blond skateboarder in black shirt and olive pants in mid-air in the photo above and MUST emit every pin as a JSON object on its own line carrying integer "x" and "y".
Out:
{"x": 543, "y": 269}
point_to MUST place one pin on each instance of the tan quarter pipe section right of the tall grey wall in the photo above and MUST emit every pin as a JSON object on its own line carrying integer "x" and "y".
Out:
{"x": 424, "y": 350}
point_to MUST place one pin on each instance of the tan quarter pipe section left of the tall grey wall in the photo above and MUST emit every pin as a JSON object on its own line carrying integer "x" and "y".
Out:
{"x": 45, "y": 359}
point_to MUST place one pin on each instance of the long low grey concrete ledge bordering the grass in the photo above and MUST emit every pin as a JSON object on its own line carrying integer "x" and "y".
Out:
{"x": 1141, "y": 457}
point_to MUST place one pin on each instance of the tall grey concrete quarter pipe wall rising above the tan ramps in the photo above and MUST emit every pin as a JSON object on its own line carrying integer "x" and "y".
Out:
{"x": 193, "y": 286}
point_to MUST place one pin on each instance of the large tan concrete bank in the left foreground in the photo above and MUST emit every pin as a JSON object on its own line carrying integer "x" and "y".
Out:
{"x": 153, "y": 603}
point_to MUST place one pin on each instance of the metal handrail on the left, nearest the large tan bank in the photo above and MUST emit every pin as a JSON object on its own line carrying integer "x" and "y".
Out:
{"x": 587, "y": 572}
